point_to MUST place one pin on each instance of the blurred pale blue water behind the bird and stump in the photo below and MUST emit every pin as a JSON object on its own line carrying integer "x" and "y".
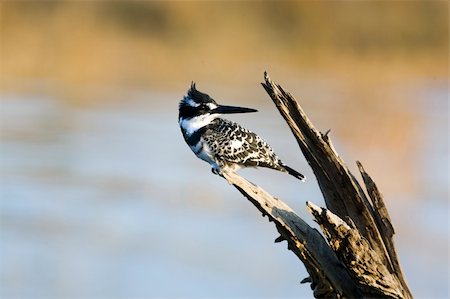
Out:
{"x": 106, "y": 201}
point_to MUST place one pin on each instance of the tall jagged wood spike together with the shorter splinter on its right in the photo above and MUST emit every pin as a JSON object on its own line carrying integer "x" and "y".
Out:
{"x": 342, "y": 192}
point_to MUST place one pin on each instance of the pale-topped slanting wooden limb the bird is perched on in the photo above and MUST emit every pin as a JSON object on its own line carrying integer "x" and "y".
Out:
{"x": 329, "y": 276}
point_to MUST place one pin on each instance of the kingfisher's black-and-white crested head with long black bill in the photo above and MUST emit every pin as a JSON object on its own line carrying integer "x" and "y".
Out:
{"x": 197, "y": 104}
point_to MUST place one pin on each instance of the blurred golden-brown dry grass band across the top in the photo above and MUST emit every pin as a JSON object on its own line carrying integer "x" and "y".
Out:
{"x": 80, "y": 44}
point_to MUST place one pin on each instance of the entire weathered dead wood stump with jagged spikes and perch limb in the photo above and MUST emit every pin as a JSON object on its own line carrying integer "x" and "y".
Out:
{"x": 359, "y": 260}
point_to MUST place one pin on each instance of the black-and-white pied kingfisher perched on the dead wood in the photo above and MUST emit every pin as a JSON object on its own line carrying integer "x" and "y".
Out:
{"x": 222, "y": 143}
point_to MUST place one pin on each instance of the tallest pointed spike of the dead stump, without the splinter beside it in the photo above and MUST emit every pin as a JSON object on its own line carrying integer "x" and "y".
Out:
{"x": 343, "y": 195}
